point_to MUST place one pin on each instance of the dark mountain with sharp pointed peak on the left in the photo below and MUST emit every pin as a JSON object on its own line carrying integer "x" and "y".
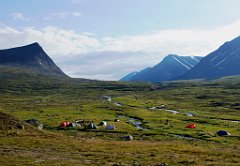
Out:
{"x": 30, "y": 58}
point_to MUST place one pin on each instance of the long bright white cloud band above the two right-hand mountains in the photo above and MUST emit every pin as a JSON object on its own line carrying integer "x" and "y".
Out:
{"x": 180, "y": 41}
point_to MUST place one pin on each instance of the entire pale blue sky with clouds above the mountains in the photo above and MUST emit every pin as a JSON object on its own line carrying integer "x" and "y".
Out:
{"x": 107, "y": 39}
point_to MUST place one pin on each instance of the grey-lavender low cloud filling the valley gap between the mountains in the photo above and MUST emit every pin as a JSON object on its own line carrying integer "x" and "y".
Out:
{"x": 107, "y": 65}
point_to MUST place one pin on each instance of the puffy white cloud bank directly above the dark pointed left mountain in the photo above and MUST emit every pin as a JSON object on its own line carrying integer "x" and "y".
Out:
{"x": 57, "y": 42}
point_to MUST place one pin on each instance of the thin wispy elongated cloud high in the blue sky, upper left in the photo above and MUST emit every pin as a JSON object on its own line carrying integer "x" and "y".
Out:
{"x": 61, "y": 15}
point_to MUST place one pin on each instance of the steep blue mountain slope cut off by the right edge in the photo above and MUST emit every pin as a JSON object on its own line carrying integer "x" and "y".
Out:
{"x": 222, "y": 62}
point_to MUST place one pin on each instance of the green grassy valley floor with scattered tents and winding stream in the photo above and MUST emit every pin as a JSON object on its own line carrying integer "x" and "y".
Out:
{"x": 132, "y": 134}
